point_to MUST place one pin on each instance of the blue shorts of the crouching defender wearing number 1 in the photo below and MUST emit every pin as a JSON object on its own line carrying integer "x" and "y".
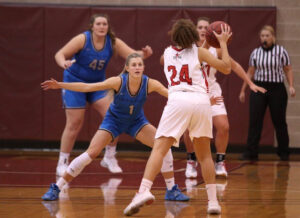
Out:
{"x": 116, "y": 127}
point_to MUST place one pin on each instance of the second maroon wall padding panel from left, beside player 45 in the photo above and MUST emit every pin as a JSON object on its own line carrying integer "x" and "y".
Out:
{"x": 61, "y": 24}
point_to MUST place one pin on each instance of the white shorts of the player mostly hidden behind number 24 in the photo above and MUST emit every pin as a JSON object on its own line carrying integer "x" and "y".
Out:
{"x": 217, "y": 109}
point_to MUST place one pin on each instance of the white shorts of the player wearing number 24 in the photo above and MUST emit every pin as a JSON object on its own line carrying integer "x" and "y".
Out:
{"x": 186, "y": 110}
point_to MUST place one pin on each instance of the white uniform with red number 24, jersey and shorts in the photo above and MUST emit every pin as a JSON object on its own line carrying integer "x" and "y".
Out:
{"x": 188, "y": 105}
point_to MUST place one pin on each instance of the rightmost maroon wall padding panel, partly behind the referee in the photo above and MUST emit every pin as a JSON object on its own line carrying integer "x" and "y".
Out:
{"x": 245, "y": 40}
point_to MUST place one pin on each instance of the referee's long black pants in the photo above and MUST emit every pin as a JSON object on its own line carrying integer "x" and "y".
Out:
{"x": 276, "y": 98}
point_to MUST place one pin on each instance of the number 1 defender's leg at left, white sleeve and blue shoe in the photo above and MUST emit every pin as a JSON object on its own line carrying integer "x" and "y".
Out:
{"x": 100, "y": 139}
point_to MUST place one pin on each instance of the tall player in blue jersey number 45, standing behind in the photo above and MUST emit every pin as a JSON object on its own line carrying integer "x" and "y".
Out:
{"x": 85, "y": 58}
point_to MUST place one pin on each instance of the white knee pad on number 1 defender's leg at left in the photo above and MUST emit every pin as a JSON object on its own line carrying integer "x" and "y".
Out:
{"x": 78, "y": 164}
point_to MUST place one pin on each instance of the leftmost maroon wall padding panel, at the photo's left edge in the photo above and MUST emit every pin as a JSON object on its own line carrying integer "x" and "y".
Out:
{"x": 21, "y": 71}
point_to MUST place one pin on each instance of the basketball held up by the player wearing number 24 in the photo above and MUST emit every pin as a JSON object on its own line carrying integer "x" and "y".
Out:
{"x": 211, "y": 39}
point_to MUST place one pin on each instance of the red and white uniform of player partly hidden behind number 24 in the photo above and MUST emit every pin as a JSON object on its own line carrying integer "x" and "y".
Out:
{"x": 214, "y": 87}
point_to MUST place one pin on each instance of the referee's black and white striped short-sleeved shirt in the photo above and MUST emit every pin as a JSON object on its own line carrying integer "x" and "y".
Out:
{"x": 269, "y": 63}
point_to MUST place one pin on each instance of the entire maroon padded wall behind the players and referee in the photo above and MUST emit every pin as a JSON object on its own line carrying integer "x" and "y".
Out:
{"x": 31, "y": 35}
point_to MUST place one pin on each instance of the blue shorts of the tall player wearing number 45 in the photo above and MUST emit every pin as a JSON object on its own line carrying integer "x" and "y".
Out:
{"x": 73, "y": 99}
